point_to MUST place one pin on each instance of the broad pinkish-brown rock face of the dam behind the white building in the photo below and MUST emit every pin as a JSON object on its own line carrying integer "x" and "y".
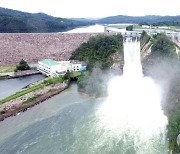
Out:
{"x": 37, "y": 46}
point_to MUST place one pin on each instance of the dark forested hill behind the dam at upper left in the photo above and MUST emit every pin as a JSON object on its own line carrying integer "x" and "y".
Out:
{"x": 12, "y": 21}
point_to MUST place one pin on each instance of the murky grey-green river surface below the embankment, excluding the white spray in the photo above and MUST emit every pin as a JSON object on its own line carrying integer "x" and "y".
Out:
{"x": 65, "y": 124}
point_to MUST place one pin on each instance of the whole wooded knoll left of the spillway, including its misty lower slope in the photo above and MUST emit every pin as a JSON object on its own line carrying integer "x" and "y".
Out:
{"x": 101, "y": 53}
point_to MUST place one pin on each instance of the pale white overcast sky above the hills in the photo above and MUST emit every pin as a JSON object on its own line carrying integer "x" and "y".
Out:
{"x": 95, "y": 8}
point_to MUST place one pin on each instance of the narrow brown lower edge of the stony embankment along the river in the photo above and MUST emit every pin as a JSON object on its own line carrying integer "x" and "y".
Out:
{"x": 23, "y": 108}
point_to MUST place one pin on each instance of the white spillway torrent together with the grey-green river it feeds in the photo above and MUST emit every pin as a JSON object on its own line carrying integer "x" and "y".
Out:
{"x": 128, "y": 121}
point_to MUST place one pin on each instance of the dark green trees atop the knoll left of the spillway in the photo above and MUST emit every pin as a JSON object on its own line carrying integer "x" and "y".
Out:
{"x": 98, "y": 50}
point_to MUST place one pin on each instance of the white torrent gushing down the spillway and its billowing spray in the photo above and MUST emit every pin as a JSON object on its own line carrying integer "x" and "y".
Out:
{"x": 133, "y": 107}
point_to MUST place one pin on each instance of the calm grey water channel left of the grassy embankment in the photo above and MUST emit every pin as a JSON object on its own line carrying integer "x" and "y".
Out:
{"x": 11, "y": 86}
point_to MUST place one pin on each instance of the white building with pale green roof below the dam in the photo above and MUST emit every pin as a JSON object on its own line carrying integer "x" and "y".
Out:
{"x": 53, "y": 68}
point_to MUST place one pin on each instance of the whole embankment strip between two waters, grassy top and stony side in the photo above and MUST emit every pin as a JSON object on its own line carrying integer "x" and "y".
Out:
{"x": 33, "y": 95}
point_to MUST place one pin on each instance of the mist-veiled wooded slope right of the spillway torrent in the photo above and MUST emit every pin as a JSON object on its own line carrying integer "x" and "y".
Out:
{"x": 163, "y": 65}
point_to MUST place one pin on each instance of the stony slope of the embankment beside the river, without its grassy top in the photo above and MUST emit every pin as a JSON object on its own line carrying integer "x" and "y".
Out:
{"x": 29, "y": 100}
